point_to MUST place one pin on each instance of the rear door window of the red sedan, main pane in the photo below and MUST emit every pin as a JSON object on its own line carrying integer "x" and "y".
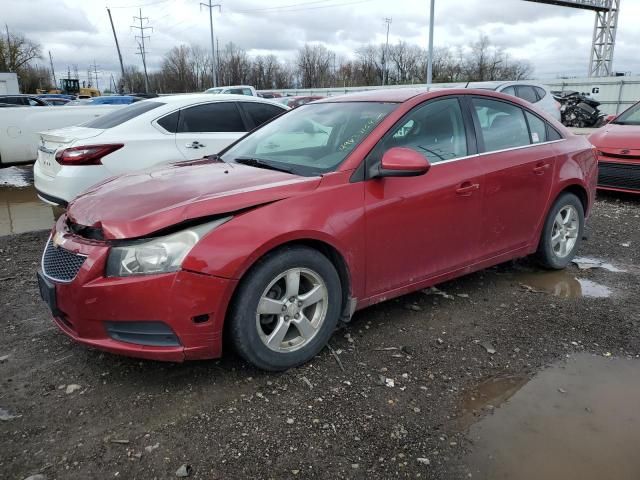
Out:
{"x": 502, "y": 124}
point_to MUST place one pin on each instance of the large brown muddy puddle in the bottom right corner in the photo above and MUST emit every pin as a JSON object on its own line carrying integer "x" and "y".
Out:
{"x": 575, "y": 420}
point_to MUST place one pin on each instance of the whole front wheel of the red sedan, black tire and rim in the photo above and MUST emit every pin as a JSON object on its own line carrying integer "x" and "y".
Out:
{"x": 286, "y": 308}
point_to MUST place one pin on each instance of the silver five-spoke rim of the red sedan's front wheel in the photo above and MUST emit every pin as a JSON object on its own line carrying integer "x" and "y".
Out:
{"x": 292, "y": 310}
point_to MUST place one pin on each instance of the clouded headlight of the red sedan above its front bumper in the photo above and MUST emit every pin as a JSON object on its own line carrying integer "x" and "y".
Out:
{"x": 158, "y": 255}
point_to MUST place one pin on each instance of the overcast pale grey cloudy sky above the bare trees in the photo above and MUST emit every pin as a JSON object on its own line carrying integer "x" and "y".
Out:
{"x": 555, "y": 40}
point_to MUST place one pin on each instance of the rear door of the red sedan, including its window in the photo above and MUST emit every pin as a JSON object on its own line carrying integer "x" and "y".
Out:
{"x": 519, "y": 161}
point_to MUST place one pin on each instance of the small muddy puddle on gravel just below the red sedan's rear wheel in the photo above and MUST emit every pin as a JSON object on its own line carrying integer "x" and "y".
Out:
{"x": 562, "y": 284}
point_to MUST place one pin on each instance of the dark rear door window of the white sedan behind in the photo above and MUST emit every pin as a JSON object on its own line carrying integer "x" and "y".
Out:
{"x": 211, "y": 117}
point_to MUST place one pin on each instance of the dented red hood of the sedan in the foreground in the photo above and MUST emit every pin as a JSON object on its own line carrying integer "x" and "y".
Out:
{"x": 139, "y": 204}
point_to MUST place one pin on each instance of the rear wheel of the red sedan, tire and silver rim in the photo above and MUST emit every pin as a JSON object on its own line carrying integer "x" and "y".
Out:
{"x": 562, "y": 232}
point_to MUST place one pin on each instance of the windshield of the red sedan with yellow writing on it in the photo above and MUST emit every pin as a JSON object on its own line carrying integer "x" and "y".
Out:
{"x": 310, "y": 140}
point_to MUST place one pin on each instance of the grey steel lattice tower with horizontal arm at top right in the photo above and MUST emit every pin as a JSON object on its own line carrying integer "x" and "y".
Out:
{"x": 604, "y": 31}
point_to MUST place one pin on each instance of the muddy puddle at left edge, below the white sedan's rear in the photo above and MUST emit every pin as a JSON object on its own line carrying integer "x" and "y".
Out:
{"x": 20, "y": 209}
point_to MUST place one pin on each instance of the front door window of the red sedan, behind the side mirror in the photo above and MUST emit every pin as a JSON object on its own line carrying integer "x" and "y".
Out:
{"x": 435, "y": 129}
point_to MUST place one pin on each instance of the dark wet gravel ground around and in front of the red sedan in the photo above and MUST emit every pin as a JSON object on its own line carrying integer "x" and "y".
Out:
{"x": 395, "y": 405}
